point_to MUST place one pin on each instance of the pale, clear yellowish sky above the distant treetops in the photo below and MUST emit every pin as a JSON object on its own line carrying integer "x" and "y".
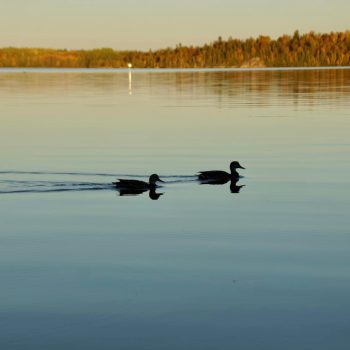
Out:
{"x": 153, "y": 24}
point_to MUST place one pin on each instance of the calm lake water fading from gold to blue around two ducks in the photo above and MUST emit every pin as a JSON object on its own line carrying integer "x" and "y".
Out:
{"x": 82, "y": 267}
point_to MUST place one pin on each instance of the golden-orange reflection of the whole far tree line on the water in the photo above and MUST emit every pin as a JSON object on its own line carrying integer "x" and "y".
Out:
{"x": 229, "y": 87}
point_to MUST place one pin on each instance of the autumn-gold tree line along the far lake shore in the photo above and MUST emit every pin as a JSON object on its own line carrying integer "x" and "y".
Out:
{"x": 297, "y": 50}
